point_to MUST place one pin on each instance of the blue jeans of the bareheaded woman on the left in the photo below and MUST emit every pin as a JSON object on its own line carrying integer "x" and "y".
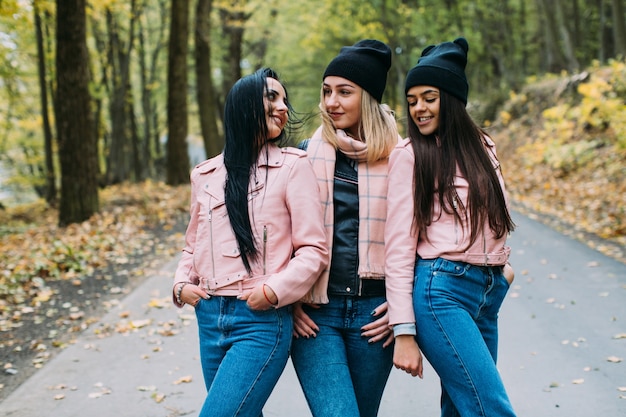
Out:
{"x": 243, "y": 353}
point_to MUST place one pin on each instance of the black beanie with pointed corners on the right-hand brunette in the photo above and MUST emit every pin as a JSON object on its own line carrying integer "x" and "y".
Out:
{"x": 442, "y": 66}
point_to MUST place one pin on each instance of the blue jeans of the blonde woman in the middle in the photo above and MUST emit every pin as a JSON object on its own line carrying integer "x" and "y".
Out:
{"x": 342, "y": 375}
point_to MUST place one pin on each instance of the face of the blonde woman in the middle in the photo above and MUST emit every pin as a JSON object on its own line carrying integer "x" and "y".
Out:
{"x": 342, "y": 102}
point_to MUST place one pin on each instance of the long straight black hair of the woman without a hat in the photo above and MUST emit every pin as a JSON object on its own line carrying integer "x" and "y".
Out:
{"x": 245, "y": 134}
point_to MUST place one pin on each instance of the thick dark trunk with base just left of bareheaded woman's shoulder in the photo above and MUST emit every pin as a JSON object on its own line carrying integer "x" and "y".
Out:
{"x": 177, "y": 123}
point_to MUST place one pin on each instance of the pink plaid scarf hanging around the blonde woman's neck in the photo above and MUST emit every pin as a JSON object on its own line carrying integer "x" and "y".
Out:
{"x": 372, "y": 205}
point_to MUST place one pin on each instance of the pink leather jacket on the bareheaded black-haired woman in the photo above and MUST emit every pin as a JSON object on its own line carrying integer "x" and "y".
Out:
{"x": 286, "y": 216}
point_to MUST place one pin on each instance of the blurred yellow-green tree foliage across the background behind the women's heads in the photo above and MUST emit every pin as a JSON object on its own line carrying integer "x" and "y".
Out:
{"x": 298, "y": 39}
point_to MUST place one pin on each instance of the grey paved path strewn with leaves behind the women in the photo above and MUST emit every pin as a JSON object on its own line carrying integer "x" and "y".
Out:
{"x": 562, "y": 332}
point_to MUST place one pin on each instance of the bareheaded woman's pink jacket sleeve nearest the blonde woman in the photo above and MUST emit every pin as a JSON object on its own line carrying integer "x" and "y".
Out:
{"x": 310, "y": 255}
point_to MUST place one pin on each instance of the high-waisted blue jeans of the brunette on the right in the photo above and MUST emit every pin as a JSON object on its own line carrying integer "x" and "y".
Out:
{"x": 456, "y": 307}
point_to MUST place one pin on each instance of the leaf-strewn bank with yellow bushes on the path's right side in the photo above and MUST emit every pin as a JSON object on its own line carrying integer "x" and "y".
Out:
{"x": 569, "y": 160}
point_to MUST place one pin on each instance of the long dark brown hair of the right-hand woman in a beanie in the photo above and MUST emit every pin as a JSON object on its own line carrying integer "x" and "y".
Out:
{"x": 458, "y": 142}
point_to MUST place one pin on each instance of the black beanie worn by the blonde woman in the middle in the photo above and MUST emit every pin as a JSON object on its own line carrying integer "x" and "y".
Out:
{"x": 365, "y": 63}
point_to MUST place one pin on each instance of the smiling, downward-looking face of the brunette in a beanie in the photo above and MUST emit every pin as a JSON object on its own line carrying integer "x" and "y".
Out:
{"x": 424, "y": 103}
